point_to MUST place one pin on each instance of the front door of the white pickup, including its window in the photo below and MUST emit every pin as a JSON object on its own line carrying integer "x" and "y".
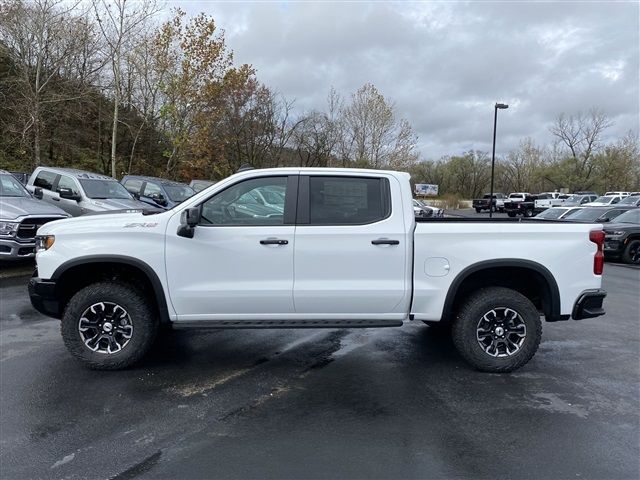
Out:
{"x": 239, "y": 263}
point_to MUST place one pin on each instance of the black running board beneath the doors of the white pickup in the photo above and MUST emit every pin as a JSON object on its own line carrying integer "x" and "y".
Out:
{"x": 287, "y": 324}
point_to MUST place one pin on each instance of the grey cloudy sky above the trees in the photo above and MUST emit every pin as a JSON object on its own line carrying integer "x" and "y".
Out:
{"x": 445, "y": 64}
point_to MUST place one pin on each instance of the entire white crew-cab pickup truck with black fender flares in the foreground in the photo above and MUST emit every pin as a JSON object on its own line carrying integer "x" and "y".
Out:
{"x": 343, "y": 250}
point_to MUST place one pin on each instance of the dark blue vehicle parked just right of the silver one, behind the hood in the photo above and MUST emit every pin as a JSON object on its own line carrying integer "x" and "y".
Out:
{"x": 157, "y": 191}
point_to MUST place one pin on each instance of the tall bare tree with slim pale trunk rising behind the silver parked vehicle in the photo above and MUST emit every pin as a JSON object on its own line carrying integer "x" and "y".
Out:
{"x": 122, "y": 24}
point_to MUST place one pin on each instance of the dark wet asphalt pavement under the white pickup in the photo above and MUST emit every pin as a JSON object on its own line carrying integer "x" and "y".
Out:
{"x": 387, "y": 403}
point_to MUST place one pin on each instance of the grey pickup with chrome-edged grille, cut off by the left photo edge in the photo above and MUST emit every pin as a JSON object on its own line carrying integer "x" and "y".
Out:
{"x": 20, "y": 217}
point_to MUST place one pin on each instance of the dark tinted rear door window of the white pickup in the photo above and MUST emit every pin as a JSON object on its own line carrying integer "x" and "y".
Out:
{"x": 348, "y": 200}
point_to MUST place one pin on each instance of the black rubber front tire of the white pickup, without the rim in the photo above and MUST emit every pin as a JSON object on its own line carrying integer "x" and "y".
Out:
{"x": 143, "y": 319}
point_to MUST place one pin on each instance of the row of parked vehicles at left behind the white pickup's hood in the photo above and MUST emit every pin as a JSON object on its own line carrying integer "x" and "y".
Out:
{"x": 29, "y": 201}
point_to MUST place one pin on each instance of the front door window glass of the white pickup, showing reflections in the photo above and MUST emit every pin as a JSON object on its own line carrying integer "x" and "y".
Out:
{"x": 245, "y": 203}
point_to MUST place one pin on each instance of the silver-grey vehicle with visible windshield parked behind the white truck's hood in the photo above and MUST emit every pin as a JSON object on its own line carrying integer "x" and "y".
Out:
{"x": 78, "y": 192}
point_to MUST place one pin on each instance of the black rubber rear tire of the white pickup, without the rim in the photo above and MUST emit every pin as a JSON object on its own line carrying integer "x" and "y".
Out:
{"x": 466, "y": 322}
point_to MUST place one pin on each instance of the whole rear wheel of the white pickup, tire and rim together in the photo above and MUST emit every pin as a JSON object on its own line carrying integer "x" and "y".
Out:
{"x": 497, "y": 330}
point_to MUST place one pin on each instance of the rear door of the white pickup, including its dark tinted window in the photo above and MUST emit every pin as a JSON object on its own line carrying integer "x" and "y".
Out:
{"x": 351, "y": 248}
